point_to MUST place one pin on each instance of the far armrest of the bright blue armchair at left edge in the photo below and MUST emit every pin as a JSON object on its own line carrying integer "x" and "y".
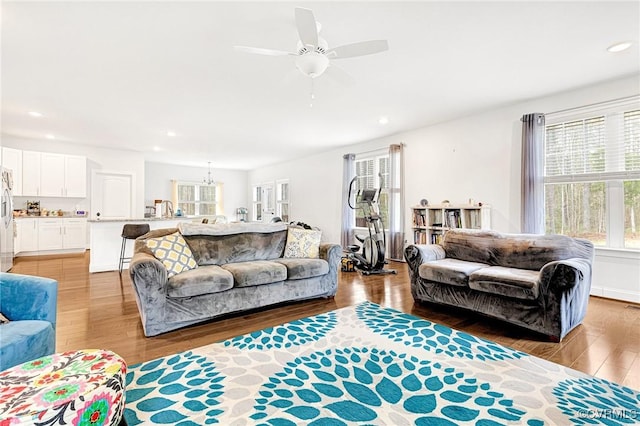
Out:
{"x": 27, "y": 297}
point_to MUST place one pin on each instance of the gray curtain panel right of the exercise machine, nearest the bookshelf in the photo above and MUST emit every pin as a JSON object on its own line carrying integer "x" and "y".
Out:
{"x": 396, "y": 202}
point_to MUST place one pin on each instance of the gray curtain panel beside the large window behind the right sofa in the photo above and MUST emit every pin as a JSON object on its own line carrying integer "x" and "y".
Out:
{"x": 532, "y": 211}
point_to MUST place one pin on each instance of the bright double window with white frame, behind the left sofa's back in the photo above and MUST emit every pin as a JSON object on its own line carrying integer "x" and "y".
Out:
{"x": 198, "y": 199}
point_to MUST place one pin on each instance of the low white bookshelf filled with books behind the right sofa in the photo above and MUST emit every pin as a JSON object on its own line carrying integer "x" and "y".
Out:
{"x": 431, "y": 222}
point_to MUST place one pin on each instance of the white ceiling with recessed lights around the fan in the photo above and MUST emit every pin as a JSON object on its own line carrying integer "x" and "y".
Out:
{"x": 121, "y": 74}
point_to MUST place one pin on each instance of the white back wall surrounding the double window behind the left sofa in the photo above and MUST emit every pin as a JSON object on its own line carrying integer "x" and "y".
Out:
{"x": 158, "y": 183}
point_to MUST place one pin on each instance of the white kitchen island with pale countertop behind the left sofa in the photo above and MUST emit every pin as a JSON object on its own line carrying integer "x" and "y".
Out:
{"x": 106, "y": 240}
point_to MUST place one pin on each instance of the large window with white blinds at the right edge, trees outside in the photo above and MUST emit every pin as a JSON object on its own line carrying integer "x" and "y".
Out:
{"x": 592, "y": 176}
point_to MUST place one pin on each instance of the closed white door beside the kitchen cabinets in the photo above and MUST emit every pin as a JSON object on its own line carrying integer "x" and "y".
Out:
{"x": 111, "y": 195}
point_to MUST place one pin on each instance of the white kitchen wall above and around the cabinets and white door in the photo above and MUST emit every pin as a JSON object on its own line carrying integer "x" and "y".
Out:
{"x": 97, "y": 159}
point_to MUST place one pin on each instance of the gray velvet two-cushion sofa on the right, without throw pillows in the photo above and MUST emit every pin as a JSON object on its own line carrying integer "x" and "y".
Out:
{"x": 540, "y": 282}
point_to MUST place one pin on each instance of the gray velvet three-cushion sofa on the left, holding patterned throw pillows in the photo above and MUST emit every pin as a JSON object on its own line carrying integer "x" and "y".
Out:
{"x": 240, "y": 267}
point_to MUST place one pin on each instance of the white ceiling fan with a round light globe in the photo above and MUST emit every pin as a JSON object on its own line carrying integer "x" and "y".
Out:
{"x": 313, "y": 54}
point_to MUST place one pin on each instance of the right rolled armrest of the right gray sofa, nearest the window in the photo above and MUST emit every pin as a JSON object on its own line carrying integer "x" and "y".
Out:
{"x": 562, "y": 275}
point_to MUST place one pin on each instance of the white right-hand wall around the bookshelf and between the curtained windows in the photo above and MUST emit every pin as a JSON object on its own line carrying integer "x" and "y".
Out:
{"x": 472, "y": 157}
